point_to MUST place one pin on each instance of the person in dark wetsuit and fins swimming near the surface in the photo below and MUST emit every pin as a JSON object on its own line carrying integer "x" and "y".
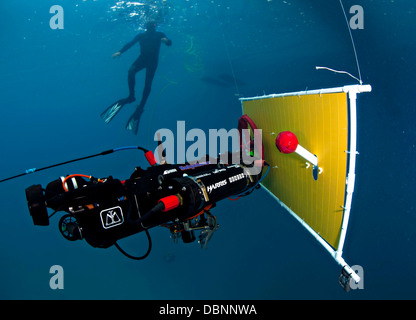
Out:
{"x": 150, "y": 42}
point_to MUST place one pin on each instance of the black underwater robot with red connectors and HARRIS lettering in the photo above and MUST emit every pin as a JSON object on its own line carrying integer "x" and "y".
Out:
{"x": 178, "y": 197}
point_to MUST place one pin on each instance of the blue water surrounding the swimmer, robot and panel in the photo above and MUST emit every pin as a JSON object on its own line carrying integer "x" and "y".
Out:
{"x": 55, "y": 83}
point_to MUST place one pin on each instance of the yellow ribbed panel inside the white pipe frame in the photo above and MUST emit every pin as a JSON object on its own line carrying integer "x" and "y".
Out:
{"x": 320, "y": 123}
